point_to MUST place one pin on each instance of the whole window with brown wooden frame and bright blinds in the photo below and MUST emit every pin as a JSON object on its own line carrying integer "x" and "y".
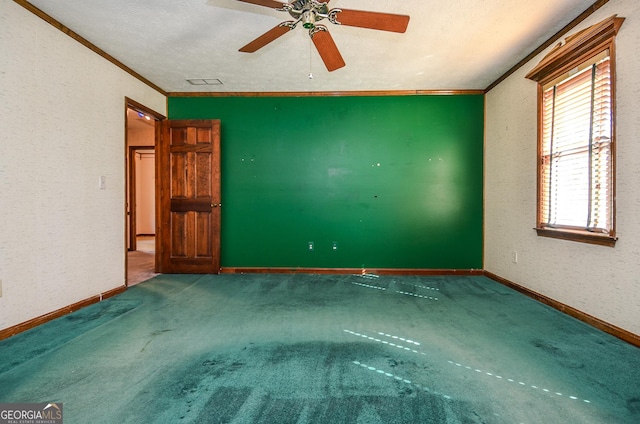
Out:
{"x": 576, "y": 150}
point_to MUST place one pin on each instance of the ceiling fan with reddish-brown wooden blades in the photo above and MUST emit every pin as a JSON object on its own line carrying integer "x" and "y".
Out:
{"x": 309, "y": 12}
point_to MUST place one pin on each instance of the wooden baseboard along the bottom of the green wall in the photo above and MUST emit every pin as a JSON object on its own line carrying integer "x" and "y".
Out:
{"x": 378, "y": 271}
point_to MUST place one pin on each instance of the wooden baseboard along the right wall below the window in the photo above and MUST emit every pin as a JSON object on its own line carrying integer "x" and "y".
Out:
{"x": 618, "y": 332}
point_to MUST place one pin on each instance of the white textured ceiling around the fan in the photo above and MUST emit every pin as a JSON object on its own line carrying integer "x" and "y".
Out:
{"x": 449, "y": 44}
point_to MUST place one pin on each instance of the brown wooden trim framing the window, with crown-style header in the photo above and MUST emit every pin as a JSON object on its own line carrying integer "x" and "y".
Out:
{"x": 573, "y": 52}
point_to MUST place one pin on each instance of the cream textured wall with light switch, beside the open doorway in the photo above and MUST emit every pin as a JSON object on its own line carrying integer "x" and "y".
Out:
{"x": 62, "y": 239}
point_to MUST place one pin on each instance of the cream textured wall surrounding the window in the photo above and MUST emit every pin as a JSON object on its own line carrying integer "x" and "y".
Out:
{"x": 601, "y": 281}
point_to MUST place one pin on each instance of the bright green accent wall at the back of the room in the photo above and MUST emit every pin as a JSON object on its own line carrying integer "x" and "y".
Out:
{"x": 393, "y": 181}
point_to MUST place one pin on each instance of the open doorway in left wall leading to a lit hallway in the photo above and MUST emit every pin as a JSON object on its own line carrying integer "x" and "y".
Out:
{"x": 140, "y": 141}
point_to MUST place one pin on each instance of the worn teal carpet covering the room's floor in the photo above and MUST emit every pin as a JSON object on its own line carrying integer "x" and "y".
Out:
{"x": 323, "y": 349}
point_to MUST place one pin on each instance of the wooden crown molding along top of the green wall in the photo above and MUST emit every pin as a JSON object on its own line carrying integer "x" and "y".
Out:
{"x": 326, "y": 93}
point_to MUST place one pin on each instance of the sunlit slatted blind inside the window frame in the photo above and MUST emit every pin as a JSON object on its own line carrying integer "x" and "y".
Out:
{"x": 576, "y": 157}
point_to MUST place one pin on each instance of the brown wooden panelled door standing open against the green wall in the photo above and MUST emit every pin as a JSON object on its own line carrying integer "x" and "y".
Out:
{"x": 188, "y": 176}
